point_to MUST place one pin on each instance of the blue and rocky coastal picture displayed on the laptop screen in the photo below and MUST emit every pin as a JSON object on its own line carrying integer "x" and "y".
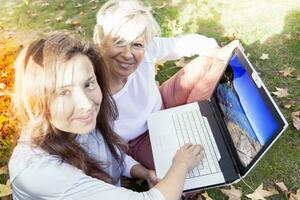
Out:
{"x": 247, "y": 117}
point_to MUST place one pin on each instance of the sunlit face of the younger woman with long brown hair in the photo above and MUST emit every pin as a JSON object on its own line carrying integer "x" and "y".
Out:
{"x": 78, "y": 97}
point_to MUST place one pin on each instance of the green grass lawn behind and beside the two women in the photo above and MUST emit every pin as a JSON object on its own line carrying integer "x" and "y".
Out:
{"x": 268, "y": 27}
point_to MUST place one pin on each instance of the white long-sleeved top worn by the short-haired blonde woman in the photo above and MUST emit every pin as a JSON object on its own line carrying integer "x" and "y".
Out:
{"x": 140, "y": 96}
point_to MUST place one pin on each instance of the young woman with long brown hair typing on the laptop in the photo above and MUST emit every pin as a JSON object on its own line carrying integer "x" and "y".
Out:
{"x": 67, "y": 148}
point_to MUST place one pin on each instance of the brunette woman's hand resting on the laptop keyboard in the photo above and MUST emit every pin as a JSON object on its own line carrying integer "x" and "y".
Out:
{"x": 188, "y": 155}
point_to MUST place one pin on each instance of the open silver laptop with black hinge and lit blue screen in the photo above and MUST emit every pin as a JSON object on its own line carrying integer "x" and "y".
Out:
{"x": 236, "y": 127}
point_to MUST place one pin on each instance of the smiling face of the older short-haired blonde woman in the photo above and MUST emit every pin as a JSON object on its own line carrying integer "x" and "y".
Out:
{"x": 122, "y": 59}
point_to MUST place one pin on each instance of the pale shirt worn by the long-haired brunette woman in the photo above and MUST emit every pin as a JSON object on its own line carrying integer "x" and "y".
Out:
{"x": 36, "y": 175}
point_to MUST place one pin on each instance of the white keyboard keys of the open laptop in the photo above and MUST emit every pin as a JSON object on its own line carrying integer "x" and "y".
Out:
{"x": 191, "y": 127}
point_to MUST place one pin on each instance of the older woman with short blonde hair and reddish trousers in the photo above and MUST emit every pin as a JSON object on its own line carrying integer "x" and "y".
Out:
{"x": 125, "y": 32}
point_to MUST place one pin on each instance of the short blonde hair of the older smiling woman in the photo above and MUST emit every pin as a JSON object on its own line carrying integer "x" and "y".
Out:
{"x": 125, "y": 20}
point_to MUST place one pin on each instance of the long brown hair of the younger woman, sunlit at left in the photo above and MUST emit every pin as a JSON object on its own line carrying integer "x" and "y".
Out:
{"x": 36, "y": 71}
